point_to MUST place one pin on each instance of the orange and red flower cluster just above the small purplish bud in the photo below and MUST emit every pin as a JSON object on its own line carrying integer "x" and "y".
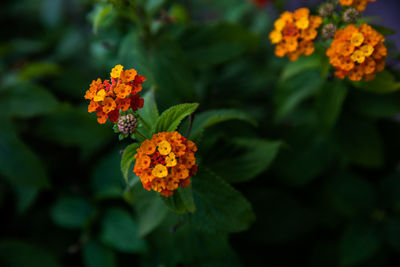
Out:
{"x": 107, "y": 99}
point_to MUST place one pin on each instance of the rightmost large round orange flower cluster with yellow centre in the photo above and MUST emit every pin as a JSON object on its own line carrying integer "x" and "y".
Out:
{"x": 357, "y": 53}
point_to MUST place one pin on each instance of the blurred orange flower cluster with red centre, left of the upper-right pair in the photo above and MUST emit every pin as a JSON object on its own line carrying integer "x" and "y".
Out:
{"x": 294, "y": 33}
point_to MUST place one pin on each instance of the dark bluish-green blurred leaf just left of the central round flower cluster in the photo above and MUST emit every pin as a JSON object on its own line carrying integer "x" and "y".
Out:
{"x": 106, "y": 180}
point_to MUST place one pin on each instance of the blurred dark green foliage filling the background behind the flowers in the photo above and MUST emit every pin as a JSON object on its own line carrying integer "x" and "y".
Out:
{"x": 331, "y": 197}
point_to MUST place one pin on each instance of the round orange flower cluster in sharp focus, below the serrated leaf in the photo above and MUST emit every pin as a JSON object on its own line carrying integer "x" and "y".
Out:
{"x": 166, "y": 162}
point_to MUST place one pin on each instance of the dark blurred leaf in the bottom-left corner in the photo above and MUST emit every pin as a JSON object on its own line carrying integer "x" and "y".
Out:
{"x": 15, "y": 253}
